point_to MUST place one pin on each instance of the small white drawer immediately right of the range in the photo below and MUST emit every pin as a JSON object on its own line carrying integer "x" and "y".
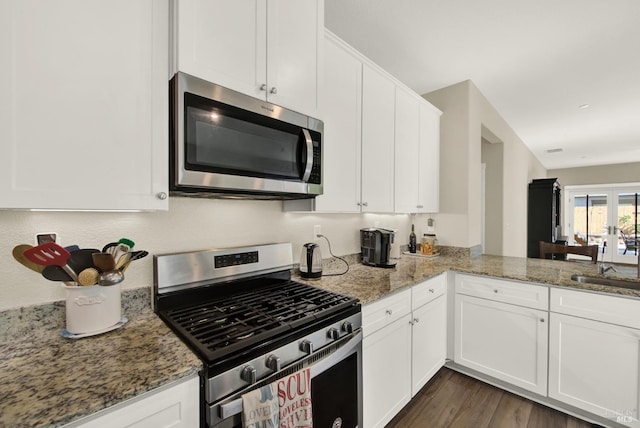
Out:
{"x": 385, "y": 311}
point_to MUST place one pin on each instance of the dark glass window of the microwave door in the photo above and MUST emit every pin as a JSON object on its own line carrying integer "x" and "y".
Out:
{"x": 223, "y": 139}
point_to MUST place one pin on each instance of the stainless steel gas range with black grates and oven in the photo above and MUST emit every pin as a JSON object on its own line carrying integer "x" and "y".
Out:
{"x": 241, "y": 313}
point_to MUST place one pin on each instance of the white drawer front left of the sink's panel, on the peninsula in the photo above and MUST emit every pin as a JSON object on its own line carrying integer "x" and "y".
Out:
{"x": 515, "y": 293}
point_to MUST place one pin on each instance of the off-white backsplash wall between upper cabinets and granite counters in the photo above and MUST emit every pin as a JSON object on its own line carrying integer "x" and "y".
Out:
{"x": 190, "y": 224}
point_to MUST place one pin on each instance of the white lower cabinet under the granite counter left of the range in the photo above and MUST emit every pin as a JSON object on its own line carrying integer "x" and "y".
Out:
{"x": 174, "y": 406}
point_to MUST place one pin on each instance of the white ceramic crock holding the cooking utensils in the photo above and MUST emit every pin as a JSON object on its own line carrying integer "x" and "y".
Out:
{"x": 92, "y": 308}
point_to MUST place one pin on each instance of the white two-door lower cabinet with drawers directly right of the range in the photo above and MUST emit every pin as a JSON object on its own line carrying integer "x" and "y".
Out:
{"x": 404, "y": 345}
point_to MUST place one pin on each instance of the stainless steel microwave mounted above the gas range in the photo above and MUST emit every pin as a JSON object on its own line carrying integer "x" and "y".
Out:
{"x": 227, "y": 144}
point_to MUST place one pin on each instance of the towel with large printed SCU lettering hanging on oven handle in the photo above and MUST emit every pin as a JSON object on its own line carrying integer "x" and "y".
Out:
{"x": 294, "y": 399}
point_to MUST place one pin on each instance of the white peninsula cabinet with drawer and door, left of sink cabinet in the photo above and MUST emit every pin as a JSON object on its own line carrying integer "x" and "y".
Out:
{"x": 503, "y": 340}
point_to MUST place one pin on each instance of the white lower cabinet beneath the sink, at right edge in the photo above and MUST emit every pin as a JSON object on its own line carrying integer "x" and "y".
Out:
{"x": 594, "y": 365}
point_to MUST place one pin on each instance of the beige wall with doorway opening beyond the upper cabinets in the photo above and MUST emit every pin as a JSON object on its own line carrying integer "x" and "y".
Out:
{"x": 465, "y": 112}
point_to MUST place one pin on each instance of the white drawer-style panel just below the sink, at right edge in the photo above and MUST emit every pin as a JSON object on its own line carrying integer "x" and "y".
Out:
{"x": 615, "y": 310}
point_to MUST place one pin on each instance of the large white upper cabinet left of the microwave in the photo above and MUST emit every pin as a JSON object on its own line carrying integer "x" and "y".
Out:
{"x": 83, "y": 105}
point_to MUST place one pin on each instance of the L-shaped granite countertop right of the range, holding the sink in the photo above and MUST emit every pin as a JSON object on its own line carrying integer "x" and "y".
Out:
{"x": 369, "y": 283}
